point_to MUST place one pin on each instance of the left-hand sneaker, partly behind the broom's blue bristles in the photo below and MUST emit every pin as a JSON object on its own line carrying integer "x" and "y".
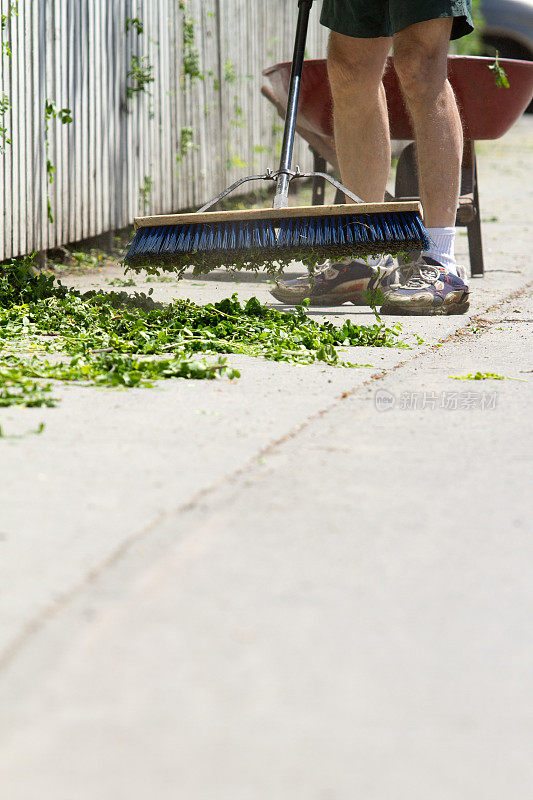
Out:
{"x": 337, "y": 283}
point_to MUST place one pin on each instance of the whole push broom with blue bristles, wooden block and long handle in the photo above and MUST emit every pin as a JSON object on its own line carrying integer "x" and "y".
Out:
{"x": 273, "y": 237}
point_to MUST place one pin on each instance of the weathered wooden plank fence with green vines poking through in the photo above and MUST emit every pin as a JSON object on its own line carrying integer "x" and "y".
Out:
{"x": 109, "y": 108}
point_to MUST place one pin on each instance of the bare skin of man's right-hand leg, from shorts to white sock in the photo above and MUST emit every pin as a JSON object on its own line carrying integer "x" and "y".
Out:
{"x": 420, "y": 58}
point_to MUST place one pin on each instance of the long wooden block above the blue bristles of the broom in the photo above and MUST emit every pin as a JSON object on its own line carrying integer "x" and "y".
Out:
{"x": 278, "y": 213}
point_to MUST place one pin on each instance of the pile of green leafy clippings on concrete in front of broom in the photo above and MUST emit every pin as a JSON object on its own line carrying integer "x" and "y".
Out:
{"x": 48, "y": 333}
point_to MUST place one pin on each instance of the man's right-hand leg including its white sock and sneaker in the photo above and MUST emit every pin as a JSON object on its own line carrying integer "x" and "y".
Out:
{"x": 435, "y": 284}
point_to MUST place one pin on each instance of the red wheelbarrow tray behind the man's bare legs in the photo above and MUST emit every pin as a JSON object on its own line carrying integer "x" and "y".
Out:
{"x": 487, "y": 112}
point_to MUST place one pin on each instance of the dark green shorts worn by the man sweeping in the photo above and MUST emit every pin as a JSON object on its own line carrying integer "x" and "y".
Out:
{"x": 370, "y": 19}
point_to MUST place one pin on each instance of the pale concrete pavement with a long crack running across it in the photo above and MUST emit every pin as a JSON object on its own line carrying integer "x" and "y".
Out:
{"x": 294, "y": 585}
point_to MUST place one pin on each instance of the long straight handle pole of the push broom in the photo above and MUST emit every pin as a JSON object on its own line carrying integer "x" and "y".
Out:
{"x": 282, "y": 182}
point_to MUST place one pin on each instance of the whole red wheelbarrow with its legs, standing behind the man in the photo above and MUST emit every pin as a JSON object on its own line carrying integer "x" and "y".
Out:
{"x": 487, "y": 112}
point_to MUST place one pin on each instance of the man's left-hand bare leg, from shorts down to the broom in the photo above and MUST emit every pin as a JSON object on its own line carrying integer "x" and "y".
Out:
{"x": 362, "y": 141}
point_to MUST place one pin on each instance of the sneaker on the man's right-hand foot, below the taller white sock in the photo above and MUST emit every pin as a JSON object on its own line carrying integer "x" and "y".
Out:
{"x": 427, "y": 288}
